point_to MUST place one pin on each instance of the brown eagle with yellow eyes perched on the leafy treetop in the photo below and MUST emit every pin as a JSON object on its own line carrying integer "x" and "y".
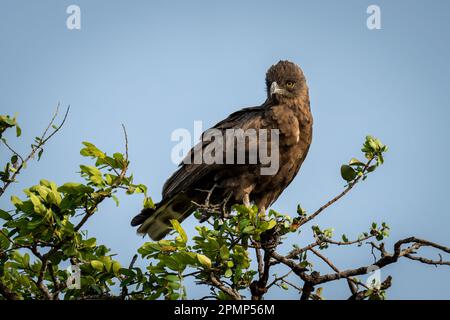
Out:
{"x": 198, "y": 186}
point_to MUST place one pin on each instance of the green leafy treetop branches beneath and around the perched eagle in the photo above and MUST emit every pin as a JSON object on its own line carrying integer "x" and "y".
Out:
{"x": 43, "y": 234}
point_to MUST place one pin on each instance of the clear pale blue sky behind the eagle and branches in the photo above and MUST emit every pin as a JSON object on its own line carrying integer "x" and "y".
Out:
{"x": 157, "y": 66}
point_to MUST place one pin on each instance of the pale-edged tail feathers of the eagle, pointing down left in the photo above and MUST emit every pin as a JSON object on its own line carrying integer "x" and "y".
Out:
{"x": 156, "y": 222}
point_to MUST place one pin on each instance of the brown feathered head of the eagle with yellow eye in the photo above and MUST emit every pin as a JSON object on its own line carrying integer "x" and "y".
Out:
{"x": 285, "y": 81}
